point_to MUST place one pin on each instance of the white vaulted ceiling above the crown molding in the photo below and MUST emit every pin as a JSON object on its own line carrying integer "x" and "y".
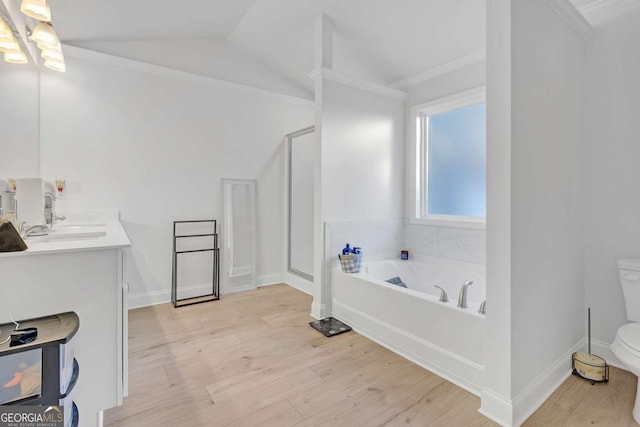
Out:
{"x": 270, "y": 43}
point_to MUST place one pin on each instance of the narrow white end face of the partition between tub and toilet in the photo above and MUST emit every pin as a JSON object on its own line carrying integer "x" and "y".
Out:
{"x": 496, "y": 396}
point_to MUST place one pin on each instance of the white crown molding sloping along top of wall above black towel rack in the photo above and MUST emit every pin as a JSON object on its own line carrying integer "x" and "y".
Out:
{"x": 172, "y": 73}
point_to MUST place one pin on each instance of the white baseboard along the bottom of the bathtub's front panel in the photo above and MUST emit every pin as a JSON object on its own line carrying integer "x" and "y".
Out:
{"x": 455, "y": 369}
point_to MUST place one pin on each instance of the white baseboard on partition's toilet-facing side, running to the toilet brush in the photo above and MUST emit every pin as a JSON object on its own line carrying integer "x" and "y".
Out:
{"x": 541, "y": 387}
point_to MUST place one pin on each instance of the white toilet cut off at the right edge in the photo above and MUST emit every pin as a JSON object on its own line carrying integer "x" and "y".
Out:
{"x": 626, "y": 346}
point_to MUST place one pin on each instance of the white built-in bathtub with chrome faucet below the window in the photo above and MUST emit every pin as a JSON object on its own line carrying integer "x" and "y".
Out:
{"x": 411, "y": 321}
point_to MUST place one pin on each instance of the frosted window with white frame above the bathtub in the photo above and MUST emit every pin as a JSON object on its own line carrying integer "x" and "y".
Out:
{"x": 451, "y": 160}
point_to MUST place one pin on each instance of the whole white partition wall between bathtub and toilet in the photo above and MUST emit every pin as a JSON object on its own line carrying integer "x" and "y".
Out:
{"x": 535, "y": 259}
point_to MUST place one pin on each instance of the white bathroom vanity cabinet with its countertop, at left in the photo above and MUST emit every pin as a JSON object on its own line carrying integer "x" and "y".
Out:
{"x": 79, "y": 267}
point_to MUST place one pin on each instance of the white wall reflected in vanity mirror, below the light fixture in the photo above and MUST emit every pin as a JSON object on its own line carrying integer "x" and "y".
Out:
{"x": 18, "y": 121}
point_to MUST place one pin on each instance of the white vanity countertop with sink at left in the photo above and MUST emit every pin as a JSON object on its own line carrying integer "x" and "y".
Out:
{"x": 76, "y": 237}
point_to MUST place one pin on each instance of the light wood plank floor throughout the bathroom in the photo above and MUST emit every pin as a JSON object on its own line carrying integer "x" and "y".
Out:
{"x": 251, "y": 359}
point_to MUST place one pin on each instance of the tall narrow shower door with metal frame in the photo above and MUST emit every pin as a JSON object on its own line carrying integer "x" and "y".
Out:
{"x": 301, "y": 198}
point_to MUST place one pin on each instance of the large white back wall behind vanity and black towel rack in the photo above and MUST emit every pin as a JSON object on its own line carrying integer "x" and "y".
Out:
{"x": 156, "y": 148}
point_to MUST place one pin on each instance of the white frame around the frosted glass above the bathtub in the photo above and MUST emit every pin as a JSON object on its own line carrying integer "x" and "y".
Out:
{"x": 419, "y": 159}
